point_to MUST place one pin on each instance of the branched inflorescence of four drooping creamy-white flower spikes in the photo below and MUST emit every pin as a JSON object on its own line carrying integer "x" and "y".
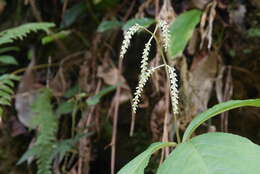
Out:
{"x": 145, "y": 70}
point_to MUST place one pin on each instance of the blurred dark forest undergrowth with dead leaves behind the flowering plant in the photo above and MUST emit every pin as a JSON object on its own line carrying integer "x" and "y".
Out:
{"x": 87, "y": 126}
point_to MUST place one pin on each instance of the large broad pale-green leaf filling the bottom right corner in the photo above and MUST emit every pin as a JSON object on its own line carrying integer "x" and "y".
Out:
{"x": 213, "y": 153}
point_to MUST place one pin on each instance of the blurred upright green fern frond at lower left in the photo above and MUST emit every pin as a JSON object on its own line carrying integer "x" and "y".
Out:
{"x": 47, "y": 124}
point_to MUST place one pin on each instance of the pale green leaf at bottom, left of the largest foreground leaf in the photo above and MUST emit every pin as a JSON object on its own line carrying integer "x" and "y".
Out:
{"x": 138, "y": 164}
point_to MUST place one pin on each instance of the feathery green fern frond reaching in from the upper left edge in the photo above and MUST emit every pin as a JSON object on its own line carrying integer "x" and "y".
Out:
{"x": 9, "y": 35}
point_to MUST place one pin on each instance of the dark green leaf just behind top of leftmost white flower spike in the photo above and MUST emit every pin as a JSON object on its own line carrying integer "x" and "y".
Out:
{"x": 145, "y": 22}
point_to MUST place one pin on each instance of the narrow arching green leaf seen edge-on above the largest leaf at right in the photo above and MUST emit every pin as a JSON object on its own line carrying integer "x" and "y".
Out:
{"x": 217, "y": 109}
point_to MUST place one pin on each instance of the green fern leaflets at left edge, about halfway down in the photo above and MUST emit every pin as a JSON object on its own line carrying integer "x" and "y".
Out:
{"x": 6, "y": 90}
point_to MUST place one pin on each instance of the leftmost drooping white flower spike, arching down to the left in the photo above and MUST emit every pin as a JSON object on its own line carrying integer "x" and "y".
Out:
{"x": 127, "y": 38}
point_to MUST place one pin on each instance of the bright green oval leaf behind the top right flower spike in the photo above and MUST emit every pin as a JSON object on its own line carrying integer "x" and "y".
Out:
{"x": 181, "y": 31}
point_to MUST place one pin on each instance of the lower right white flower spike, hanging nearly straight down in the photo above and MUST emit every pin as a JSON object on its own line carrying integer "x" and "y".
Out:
{"x": 173, "y": 89}
